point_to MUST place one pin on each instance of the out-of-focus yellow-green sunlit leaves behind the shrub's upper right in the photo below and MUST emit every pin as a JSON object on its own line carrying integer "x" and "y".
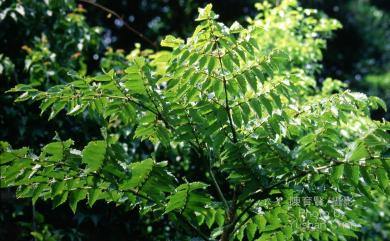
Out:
{"x": 299, "y": 32}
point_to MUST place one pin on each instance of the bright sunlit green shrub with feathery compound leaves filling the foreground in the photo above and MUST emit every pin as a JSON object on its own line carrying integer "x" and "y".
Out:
{"x": 244, "y": 101}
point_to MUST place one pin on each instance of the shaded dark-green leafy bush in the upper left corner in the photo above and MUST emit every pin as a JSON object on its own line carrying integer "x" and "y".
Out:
{"x": 52, "y": 51}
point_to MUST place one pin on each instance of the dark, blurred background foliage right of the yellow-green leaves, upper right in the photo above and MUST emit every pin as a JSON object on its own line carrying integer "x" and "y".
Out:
{"x": 360, "y": 53}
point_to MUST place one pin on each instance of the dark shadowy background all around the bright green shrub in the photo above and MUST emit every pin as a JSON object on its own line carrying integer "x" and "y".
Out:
{"x": 40, "y": 41}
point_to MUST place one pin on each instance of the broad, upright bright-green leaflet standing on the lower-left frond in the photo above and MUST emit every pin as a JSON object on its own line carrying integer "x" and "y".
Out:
{"x": 94, "y": 154}
